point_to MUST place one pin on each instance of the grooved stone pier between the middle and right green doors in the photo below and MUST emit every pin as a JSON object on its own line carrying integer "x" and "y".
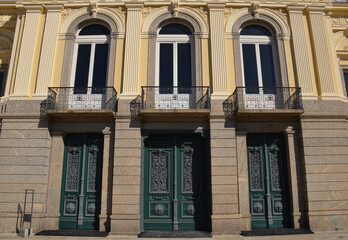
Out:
{"x": 225, "y": 216}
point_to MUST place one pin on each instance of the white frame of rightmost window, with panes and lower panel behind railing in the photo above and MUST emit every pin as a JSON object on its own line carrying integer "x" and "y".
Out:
{"x": 260, "y": 72}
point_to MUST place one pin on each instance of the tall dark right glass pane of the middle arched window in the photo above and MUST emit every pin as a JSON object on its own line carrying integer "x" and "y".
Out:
{"x": 184, "y": 67}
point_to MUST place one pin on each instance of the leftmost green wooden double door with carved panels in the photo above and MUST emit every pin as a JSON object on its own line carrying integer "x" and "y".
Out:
{"x": 81, "y": 182}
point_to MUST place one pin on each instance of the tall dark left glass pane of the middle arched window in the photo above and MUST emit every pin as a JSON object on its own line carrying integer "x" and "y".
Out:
{"x": 166, "y": 67}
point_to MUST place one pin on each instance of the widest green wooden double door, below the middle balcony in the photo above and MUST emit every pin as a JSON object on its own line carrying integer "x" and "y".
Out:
{"x": 175, "y": 183}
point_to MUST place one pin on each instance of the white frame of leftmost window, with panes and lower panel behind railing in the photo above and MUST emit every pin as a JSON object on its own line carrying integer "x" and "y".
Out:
{"x": 85, "y": 78}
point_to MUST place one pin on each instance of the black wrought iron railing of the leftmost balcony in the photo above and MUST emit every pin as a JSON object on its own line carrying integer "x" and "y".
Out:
{"x": 81, "y": 98}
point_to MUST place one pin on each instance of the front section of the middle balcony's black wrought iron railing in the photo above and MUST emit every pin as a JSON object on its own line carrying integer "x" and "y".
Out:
{"x": 175, "y": 98}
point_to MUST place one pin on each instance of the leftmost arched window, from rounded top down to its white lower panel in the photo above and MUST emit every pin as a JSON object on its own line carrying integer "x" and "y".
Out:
{"x": 90, "y": 59}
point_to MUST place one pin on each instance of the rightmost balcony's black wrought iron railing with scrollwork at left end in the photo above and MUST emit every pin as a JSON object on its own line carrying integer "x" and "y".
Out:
{"x": 263, "y": 98}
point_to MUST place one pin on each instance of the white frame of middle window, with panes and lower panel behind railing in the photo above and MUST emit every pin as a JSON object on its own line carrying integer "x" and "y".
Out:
{"x": 169, "y": 94}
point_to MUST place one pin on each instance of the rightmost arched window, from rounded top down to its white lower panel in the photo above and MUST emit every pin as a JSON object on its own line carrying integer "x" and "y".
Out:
{"x": 259, "y": 64}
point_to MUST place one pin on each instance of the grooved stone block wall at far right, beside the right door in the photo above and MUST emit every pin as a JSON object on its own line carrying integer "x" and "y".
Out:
{"x": 325, "y": 143}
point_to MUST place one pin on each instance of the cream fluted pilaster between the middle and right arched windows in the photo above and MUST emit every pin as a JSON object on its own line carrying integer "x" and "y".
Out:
{"x": 218, "y": 51}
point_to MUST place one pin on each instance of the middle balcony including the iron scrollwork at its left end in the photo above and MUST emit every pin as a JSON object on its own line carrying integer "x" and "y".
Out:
{"x": 172, "y": 100}
